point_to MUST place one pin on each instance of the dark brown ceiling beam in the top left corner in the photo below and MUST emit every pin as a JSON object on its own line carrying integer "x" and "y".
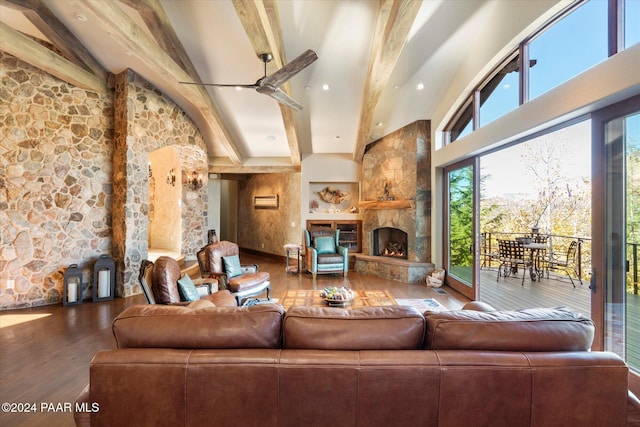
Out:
{"x": 58, "y": 34}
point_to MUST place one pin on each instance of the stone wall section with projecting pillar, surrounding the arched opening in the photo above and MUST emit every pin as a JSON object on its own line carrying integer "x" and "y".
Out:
{"x": 145, "y": 121}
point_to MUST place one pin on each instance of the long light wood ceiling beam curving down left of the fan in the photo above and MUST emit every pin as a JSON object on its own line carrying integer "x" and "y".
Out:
{"x": 124, "y": 31}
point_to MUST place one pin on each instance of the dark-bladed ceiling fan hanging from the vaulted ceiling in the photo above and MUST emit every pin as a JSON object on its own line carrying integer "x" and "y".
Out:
{"x": 270, "y": 85}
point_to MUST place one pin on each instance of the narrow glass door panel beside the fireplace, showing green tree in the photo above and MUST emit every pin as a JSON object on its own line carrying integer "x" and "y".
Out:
{"x": 461, "y": 201}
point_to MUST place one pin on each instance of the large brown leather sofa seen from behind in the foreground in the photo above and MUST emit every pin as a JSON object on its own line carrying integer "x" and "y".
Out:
{"x": 377, "y": 366}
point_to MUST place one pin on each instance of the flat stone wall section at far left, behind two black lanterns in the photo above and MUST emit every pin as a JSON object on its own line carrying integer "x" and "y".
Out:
{"x": 55, "y": 183}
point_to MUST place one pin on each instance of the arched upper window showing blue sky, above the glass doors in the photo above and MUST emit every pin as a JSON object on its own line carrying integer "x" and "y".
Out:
{"x": 576, "y": 40}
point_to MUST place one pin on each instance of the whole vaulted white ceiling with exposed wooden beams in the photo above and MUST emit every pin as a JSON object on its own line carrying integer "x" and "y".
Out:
{"x": 385, "y": 64}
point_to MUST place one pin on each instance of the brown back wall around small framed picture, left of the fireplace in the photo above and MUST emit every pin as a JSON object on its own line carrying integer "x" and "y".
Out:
{"x": 270, "y": 229}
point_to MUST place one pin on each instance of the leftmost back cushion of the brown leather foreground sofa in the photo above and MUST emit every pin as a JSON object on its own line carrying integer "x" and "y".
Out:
{"x": 157, "y": 326}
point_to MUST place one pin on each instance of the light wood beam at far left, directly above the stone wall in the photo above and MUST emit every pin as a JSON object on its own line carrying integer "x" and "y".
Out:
{"x": 28, "y": 50}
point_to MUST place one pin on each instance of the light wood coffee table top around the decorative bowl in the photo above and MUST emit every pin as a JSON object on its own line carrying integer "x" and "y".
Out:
{"x": 312, "y": 298}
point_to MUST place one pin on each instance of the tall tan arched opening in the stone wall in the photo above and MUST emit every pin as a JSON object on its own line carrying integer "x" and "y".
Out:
{"x": 165, "y": 195}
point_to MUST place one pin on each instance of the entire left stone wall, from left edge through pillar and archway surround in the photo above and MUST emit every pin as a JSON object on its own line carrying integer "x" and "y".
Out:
{"x": 74, "y": 180}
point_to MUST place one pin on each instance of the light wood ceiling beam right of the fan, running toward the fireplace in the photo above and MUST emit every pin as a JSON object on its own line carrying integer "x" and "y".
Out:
{"x": 394, "y": 21}
